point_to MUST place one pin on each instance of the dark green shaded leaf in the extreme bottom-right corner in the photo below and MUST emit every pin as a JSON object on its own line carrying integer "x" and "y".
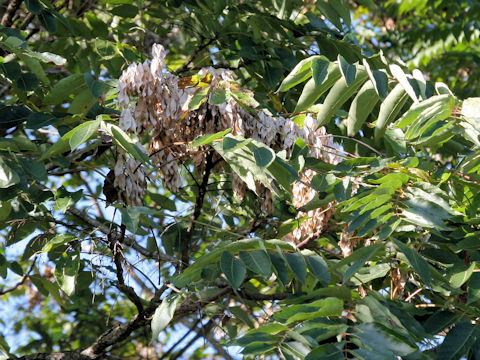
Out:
{"x": 458, "y": 341}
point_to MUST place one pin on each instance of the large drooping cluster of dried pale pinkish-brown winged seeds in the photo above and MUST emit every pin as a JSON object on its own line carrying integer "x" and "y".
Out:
{"x": 157, "y": 103}
